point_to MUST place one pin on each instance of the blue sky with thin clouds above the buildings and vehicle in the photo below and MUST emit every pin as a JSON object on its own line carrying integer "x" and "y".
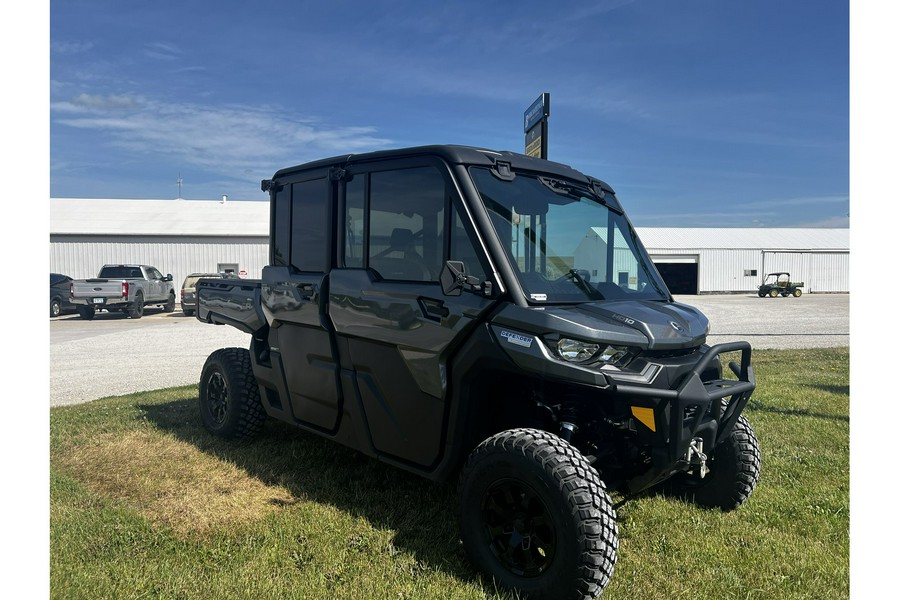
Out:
{"x": 698, "y": 113}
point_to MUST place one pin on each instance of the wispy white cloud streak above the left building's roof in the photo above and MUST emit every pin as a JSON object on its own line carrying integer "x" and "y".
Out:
{"x": 238, "y": 142}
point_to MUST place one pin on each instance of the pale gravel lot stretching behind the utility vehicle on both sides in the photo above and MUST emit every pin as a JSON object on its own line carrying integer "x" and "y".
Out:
{"x": 110, "y": 356}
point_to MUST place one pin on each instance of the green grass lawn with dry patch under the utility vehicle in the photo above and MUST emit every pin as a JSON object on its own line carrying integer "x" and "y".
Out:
{"x": 145, "y": 504}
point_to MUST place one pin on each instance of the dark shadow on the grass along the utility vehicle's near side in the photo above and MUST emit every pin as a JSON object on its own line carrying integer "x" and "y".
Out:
{"x": 420, "y": 512}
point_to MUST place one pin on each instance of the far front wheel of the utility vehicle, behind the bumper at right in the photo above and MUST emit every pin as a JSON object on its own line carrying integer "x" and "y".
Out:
{"x": 733, "y": 472}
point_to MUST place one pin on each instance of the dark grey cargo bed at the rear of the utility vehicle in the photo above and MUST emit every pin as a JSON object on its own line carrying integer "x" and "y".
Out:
{"x": 234, "y": 302}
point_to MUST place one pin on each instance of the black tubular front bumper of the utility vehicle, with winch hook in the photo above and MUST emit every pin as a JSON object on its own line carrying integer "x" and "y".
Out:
{"x": 669, "y": 420}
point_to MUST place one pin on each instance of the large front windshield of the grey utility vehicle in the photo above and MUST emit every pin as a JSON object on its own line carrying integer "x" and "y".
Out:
{"x": 567, "y": 244}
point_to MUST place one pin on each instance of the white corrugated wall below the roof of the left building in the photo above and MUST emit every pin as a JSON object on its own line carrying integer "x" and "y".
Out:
{"x": 82, "y": 256}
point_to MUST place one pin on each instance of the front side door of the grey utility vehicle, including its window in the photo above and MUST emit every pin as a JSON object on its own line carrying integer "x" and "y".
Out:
{"x": 401, "y": 221}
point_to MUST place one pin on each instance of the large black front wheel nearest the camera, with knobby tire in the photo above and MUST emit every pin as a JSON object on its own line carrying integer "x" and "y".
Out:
{"x": 535, "y": 515}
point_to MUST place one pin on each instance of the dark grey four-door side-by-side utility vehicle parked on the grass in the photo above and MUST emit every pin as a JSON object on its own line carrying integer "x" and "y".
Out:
{"x": 492, "y": 317}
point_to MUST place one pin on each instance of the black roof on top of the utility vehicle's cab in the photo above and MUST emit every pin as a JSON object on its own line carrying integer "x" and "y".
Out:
{"x": 453, "y": 154}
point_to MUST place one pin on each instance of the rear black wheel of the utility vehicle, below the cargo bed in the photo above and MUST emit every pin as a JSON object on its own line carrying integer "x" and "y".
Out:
{"x": 229, "y": 396}
